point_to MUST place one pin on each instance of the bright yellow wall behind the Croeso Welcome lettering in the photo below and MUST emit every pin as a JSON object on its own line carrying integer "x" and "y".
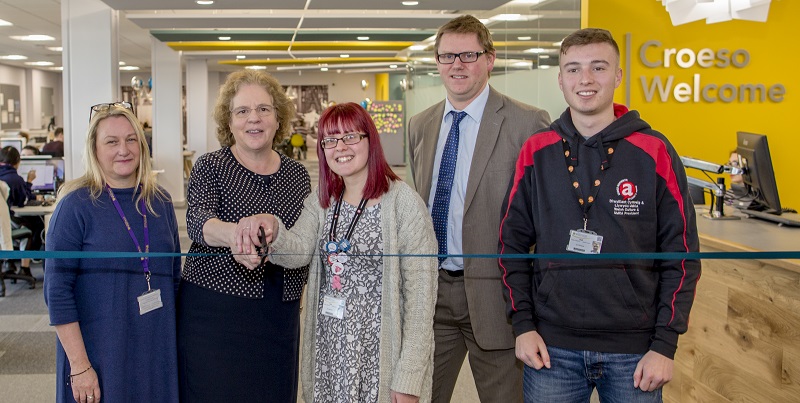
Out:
{"x": 707, "y": 130}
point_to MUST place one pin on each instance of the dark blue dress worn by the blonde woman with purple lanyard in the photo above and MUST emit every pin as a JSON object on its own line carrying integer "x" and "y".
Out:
{"x": 135, "y": 356}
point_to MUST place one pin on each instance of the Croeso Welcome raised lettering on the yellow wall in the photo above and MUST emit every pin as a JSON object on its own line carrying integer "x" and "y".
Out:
{"x": 695, "y": 90}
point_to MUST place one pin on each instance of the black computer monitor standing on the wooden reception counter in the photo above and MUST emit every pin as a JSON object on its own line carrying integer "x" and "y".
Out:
{"x": 759, "y": 176}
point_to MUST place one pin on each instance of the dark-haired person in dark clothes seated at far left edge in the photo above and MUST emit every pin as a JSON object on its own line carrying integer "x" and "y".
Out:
{"x": 19, "y": 193}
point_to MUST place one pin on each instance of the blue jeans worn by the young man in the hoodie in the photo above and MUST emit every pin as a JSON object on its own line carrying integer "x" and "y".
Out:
{"x": 573, "y": 374}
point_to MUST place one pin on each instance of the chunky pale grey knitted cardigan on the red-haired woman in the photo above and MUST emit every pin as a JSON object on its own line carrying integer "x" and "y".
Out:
{"x": 408, "y": 292}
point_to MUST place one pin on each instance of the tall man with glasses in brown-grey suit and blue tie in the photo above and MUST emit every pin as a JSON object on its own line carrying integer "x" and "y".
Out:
{"x": 470, "y": 310}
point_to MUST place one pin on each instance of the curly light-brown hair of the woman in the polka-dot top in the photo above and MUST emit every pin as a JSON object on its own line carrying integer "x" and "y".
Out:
{"x": 284, "y": 108}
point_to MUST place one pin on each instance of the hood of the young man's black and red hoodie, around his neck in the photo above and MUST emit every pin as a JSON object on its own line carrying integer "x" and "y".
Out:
{"x": 627, "y": 123}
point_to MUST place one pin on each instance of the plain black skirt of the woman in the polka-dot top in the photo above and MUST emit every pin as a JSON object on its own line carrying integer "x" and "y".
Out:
{"x": 237, "y": 349}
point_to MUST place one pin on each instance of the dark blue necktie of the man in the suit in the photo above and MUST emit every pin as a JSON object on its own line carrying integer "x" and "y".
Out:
{"x": 447, "y": 170}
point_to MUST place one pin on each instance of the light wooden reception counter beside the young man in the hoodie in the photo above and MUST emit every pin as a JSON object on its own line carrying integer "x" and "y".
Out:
{"x": 743, "y": 342}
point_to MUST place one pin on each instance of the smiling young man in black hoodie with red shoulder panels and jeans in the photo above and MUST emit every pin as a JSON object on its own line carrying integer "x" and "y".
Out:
{"x": 599, "y": 180}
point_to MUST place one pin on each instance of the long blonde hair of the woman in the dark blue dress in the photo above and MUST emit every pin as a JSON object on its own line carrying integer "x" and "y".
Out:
{"x": 93, "y": 178}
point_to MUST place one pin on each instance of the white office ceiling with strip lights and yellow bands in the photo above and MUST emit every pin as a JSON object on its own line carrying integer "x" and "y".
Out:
{"x": 287, "y": 33}
